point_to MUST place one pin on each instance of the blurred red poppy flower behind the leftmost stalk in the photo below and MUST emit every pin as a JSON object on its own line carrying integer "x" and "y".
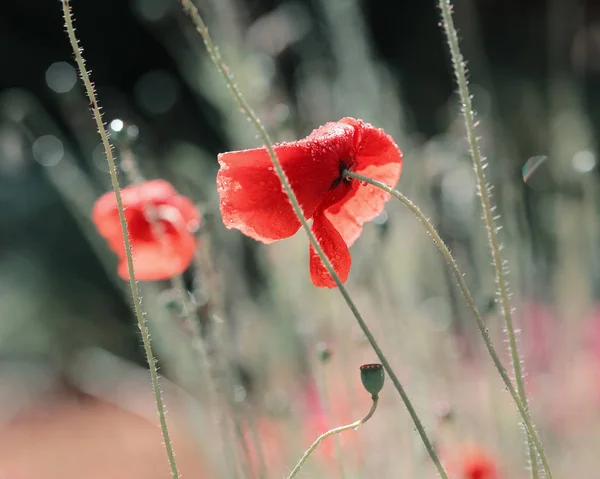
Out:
{"x": 161, "y": 249}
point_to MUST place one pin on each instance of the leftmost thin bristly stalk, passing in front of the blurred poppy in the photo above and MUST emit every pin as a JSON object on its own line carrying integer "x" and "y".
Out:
{"x": 137, "y": 304}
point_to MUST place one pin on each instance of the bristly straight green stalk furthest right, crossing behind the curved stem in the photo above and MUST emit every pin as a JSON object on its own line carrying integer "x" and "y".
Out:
{"x": 488, "y": 209}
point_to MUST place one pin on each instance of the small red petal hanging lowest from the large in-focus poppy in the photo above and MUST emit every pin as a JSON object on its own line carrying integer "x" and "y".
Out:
{"x": 335, "y": 249}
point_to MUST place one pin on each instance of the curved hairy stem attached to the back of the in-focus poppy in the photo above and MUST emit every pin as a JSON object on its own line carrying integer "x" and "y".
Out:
{"x": 458, "y": 276}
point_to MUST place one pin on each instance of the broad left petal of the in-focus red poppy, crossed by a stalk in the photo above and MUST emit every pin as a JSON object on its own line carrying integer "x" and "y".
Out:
{"x": 252, "y": 198}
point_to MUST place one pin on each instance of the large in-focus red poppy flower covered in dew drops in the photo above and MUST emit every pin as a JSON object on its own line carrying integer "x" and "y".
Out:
{"x": 253, "y": 201}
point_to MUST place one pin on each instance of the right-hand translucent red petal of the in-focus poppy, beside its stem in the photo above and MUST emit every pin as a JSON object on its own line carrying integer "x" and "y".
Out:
{"x": 378, "y": 157}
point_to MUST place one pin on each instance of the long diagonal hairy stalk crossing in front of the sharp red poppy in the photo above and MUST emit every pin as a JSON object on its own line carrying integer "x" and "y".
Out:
{"x": 215, "y": 56}
